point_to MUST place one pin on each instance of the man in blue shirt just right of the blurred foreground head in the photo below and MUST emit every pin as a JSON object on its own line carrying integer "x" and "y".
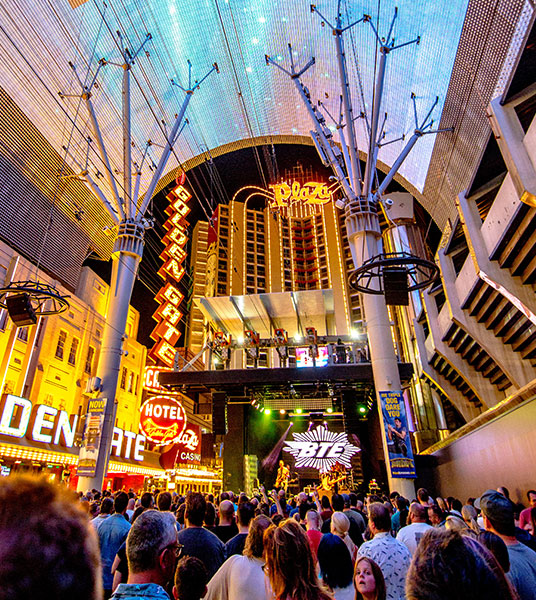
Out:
{"x": 112, "y": 533}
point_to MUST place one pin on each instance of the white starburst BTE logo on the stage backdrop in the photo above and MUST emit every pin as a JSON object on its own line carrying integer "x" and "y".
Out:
{"x": 321, "y": 449}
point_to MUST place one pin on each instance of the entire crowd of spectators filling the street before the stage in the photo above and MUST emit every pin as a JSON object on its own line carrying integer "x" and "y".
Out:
{"x": 233, "y": 547}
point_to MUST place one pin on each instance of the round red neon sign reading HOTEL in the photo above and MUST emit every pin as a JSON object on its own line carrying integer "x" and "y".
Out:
{"x": 163, "y": 420}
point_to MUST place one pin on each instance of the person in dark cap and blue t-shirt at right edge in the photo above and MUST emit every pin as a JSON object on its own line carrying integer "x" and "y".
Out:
{"x": 498, "y": 517}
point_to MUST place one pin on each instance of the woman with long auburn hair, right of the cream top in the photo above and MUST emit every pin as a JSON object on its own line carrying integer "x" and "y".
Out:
{"x": 290, "y": 565}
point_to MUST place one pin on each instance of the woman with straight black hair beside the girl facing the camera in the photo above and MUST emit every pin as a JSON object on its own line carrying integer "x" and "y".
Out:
{"x": 336, "y": 568}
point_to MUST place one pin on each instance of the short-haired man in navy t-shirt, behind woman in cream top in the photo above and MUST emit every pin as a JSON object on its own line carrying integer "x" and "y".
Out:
{"x": 197, "y": 541}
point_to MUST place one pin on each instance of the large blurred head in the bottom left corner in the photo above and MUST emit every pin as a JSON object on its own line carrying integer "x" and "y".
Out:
{"x": 47, "y": 549}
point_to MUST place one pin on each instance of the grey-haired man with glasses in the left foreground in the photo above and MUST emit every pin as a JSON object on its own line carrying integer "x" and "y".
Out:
{"x": 152, "y": 550}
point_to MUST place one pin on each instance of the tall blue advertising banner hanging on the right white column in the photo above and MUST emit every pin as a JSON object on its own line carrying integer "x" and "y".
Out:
{"x": 396, "y": 431}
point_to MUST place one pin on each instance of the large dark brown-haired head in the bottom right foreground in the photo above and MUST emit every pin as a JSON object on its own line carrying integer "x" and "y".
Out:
{"x": 451, "y": 566}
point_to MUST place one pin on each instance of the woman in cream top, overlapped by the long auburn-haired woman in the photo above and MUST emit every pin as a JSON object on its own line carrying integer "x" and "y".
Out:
{"x": 243, "y": 576}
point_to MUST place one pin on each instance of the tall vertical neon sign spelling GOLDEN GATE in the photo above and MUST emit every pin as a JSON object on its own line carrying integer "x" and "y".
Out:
{"x": 168, "y": 315}
